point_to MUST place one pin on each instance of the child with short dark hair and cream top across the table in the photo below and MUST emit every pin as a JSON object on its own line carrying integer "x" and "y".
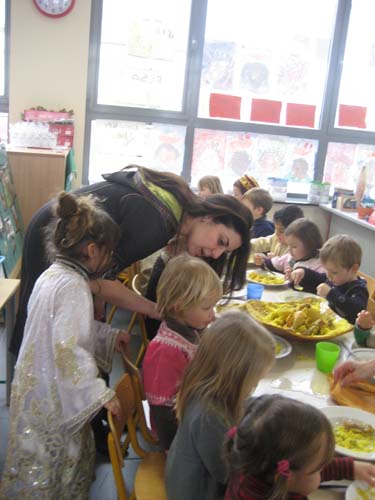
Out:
{"x": 275, "y": 245}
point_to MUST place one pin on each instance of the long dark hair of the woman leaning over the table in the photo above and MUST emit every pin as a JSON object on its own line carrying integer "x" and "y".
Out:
{"x": 223, "y": 209}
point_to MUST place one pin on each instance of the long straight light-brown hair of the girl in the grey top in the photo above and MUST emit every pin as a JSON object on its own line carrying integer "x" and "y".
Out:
{"x": 234, "y": 353}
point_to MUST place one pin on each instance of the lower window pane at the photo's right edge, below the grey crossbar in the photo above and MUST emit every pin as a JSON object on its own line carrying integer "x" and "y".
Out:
{"x": 344, "y": 163}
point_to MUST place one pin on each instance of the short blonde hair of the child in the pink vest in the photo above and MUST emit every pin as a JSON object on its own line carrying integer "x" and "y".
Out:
{"x": 186, "y": 282}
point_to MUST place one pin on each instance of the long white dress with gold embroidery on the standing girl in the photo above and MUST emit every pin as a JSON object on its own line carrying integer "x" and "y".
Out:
{"x": 57, "y": 390}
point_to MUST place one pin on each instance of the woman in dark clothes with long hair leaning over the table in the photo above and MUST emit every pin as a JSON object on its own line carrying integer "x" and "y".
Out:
{"x": 151, "y": 208}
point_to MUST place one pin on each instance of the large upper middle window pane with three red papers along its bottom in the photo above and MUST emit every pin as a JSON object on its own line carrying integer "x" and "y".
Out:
{"x": 268, "y": 61}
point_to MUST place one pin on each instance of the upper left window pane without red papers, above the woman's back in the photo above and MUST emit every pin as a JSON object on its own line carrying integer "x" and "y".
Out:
{"x": 143, "y": 53}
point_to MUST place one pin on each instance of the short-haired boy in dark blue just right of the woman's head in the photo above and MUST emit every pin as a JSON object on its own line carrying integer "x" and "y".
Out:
{"x": 259, "y": 202}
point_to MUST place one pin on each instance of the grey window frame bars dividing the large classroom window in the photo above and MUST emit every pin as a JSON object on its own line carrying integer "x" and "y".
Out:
{"x": 325, "y": 133}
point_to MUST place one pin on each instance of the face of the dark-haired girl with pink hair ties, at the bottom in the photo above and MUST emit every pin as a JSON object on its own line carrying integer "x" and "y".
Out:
{"x": 307, "y": 480}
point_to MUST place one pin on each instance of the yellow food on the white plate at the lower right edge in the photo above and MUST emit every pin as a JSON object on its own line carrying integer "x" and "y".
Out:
{"x": 354, "y": 436}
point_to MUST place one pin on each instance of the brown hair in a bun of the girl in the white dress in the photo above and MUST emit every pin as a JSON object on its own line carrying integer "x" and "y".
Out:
{"x": 79, "y": 221}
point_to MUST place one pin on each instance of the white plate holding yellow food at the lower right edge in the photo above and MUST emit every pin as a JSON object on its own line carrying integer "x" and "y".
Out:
{"x": 338, "y": 415}
